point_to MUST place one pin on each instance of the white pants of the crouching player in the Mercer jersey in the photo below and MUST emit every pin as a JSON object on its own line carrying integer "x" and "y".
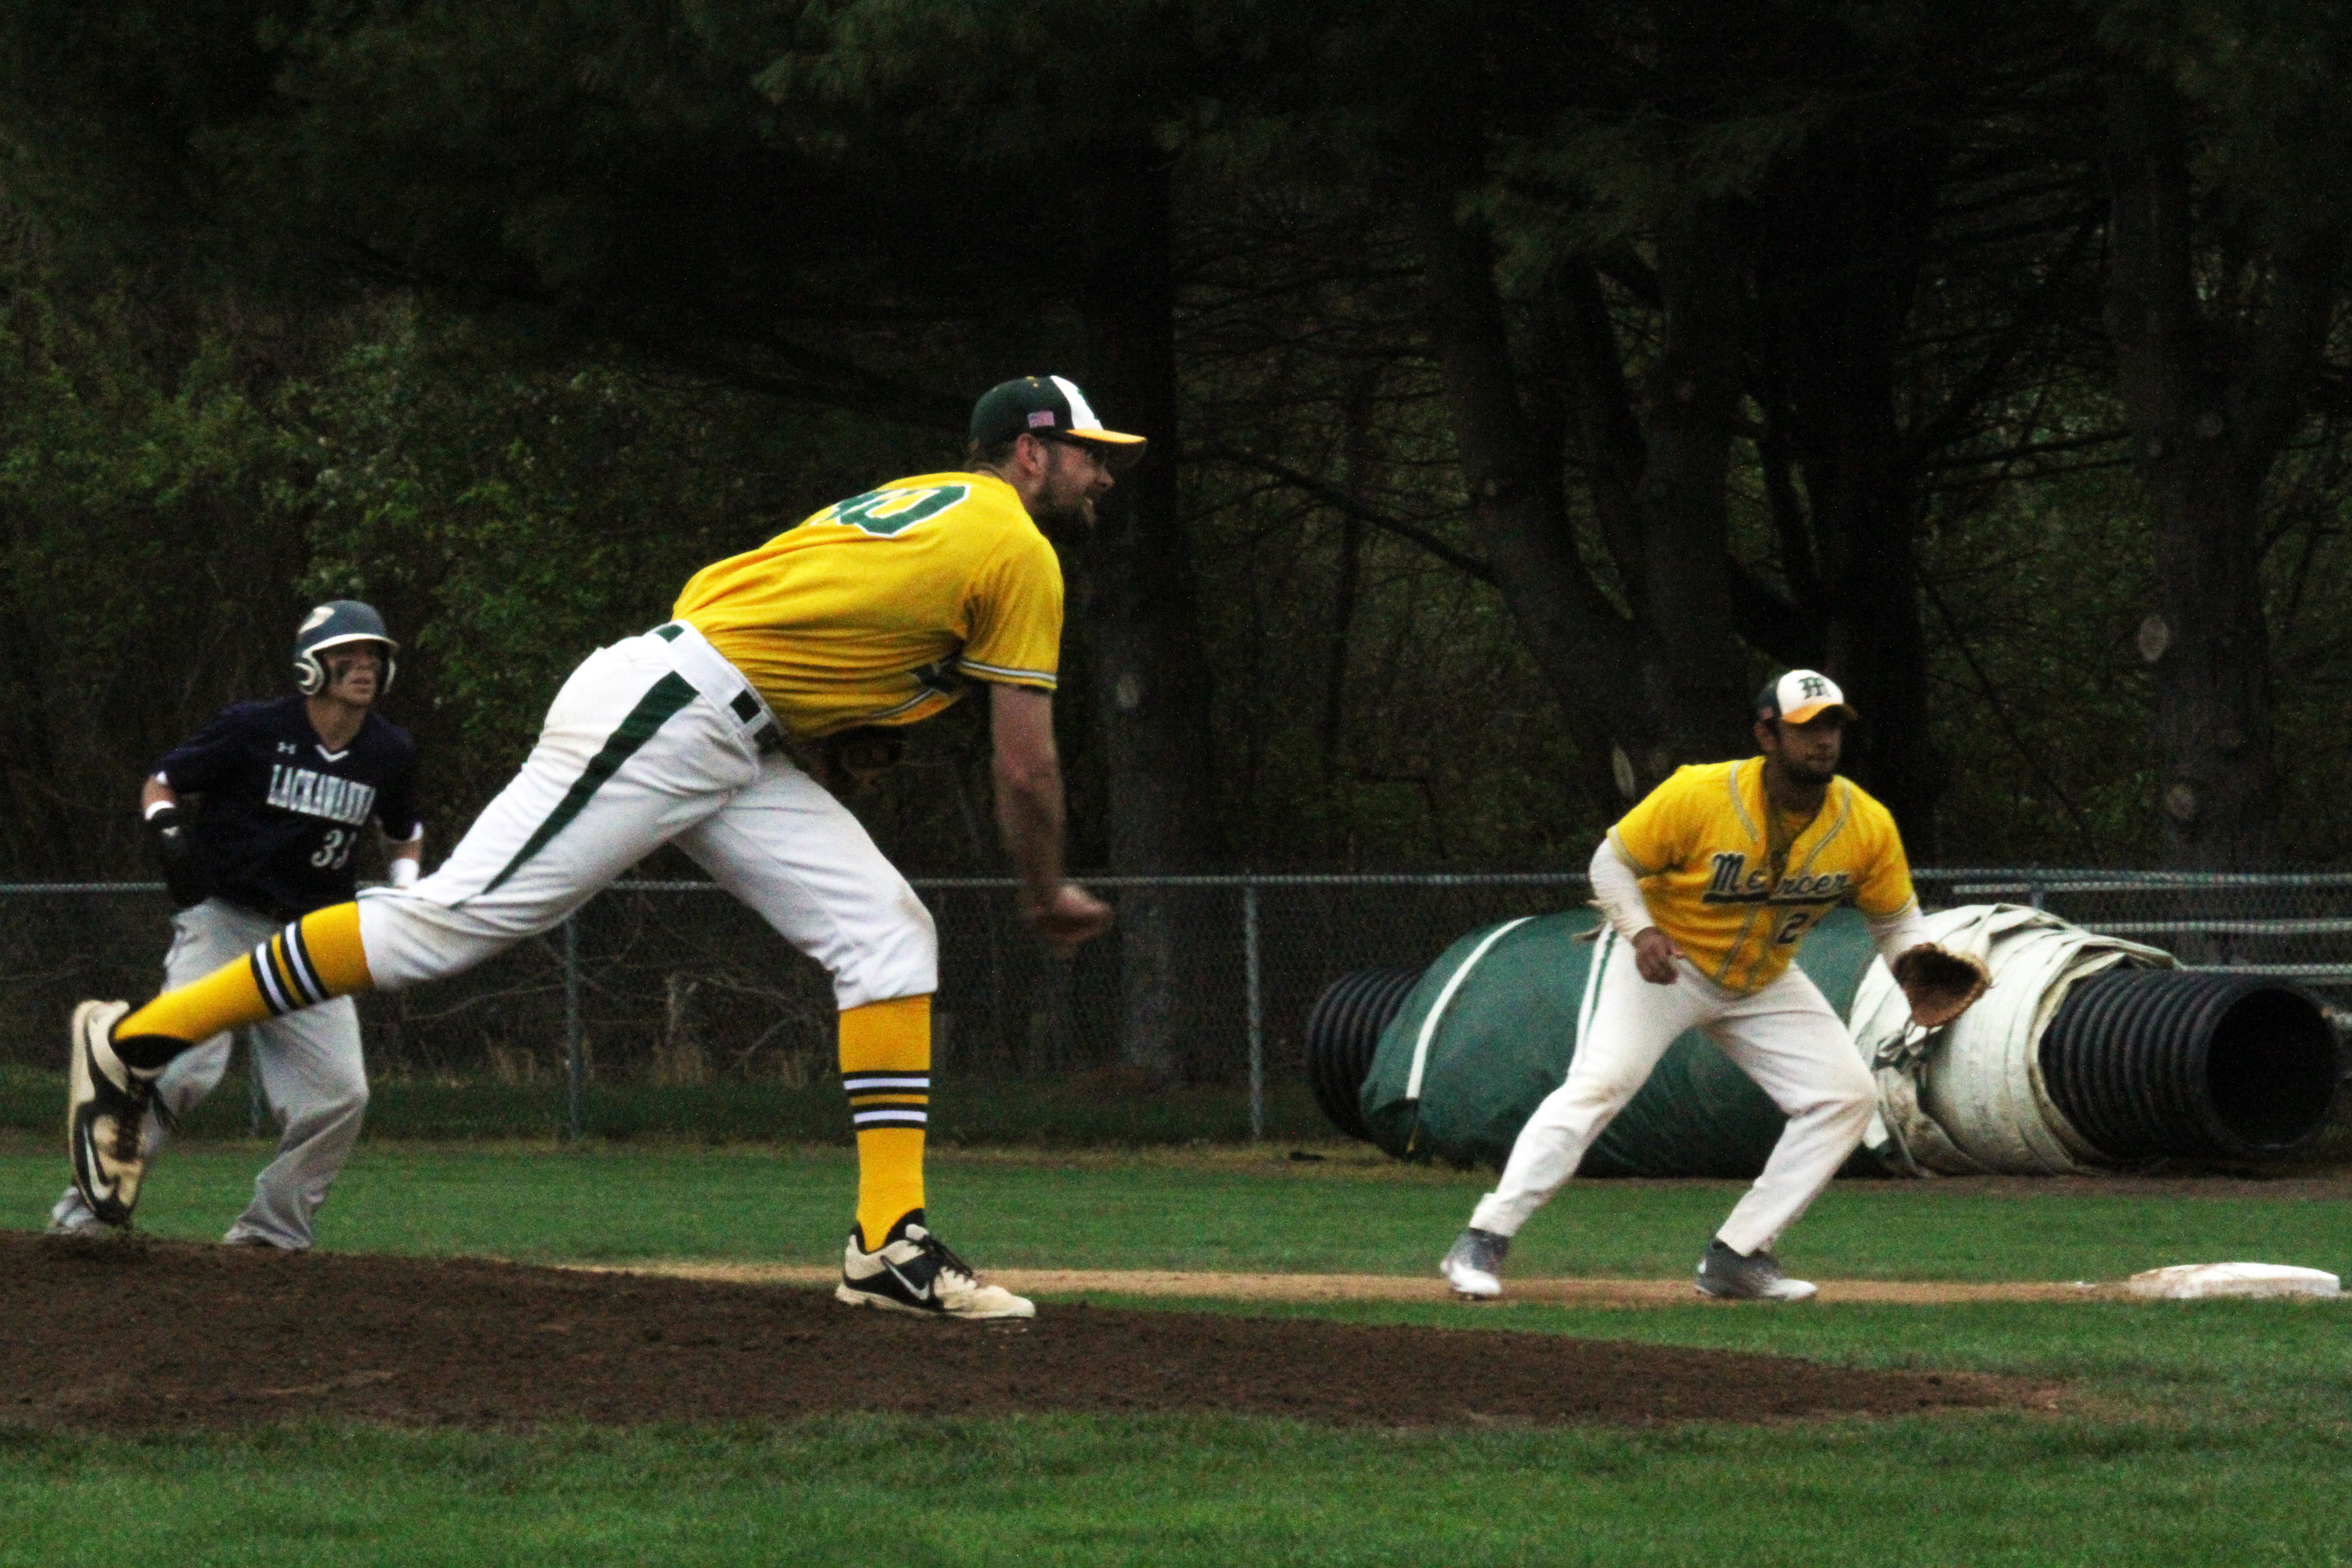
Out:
{"x": 1784, "y": 1036}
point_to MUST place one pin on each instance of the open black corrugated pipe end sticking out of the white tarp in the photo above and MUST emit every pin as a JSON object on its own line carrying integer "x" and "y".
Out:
{"x": 2200, "y": 1066}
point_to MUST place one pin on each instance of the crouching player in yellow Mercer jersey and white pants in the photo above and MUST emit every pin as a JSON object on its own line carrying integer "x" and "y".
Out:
{"x": 1709, "y": 887}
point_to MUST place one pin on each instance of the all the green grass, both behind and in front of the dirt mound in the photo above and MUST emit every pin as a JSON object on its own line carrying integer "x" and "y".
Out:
{"x": 2196, "y": 1433}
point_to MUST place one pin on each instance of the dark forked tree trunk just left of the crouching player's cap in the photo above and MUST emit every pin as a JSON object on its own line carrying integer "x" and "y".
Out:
{"x": 1664, "y": 685}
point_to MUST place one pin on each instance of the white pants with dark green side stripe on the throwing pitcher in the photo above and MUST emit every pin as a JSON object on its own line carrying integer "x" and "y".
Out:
{"x": 660, "y": 742}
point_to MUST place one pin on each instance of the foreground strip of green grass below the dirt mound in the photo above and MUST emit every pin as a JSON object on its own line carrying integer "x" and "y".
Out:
{"x": 1191, "y": 1492}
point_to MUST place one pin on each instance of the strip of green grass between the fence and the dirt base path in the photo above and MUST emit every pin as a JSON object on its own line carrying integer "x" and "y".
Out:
{"x": 1229, "y": 1209}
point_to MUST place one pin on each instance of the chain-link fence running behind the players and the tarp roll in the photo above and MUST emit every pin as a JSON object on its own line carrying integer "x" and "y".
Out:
{"x": 1208, "y": 979}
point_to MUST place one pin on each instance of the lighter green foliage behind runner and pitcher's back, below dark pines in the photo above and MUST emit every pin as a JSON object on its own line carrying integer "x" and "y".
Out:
{"x": 178, "y": 481}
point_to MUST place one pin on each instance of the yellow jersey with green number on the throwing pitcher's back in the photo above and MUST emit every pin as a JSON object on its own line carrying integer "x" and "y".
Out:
{"x": 881, "y": 608}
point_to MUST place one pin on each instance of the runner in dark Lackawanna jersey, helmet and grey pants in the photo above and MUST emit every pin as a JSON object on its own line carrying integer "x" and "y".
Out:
{"x": 286, "y": 793}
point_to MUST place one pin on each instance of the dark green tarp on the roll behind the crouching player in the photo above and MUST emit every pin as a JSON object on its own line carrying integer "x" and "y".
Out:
{"x": 1509, "y": 1028}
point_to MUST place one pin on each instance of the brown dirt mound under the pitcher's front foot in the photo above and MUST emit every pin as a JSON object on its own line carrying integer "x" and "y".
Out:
{"x": 159, "y": 1336}
